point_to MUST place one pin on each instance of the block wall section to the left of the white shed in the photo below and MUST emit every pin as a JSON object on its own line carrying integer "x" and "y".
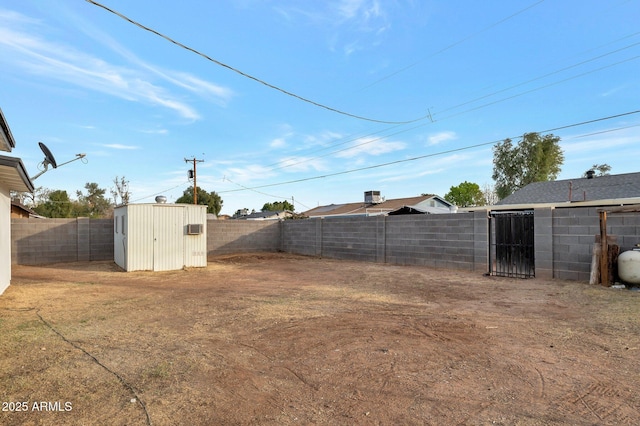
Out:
{"x": 41, "y": 241}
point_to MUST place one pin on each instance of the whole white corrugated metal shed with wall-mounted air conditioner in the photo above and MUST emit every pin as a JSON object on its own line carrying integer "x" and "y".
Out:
{"x": 160, "y": 237}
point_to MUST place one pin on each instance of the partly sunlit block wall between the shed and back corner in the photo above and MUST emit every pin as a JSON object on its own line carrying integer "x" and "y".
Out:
{"x": 233, "y": 236}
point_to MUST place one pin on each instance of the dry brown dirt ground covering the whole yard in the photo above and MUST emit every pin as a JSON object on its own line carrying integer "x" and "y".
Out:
{"x": 281, "y": 339}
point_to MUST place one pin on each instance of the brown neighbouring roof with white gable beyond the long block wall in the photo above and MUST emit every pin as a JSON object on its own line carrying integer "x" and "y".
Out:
{"x": 373, "y": 209}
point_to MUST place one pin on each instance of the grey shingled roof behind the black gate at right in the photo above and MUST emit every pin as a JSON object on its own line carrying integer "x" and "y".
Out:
{"x": 609, "y": 187}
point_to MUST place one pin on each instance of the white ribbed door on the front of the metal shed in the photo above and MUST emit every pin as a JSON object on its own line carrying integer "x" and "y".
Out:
{"x": 168, "y": 239}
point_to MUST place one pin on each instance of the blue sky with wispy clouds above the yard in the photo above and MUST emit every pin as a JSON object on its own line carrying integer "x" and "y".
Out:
{"x": 412, "y": 83}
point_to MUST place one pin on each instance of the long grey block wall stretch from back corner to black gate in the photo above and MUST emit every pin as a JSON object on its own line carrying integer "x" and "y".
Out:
{"x": 455, "y": 241}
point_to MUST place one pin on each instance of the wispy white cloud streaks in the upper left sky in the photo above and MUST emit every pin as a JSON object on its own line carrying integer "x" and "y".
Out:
{"x": 35, "y": 55}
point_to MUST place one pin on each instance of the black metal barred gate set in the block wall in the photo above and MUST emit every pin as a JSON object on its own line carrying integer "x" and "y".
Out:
{"x": 511, "y": 248}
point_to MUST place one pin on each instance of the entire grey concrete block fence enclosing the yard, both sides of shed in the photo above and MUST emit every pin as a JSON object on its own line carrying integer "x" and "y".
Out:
{"x": 564, "y": 239}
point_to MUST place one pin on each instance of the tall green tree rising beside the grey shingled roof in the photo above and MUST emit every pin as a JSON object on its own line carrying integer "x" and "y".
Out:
{"x": 535, "y": 158}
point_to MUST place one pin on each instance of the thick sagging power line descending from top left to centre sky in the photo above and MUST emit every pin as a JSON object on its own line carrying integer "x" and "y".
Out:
{"x": 244, "y": 74}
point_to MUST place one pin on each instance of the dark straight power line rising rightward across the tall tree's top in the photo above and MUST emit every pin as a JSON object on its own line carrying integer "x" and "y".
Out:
{"x": 435, "y": 154}
